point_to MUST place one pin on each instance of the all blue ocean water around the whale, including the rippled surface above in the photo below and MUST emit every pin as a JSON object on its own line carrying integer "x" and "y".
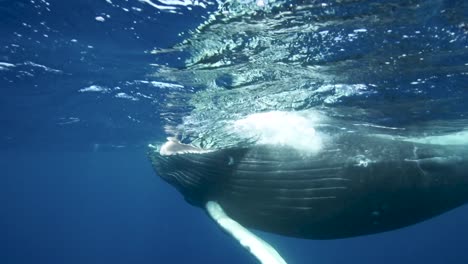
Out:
{"x": 84, "y": 90}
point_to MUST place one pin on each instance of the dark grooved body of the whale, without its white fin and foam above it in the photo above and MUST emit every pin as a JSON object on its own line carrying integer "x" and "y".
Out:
{"x": 356, "y": 185}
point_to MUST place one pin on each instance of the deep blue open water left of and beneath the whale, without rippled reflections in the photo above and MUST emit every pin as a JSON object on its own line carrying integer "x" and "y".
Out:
{"x": 84, "y": 192}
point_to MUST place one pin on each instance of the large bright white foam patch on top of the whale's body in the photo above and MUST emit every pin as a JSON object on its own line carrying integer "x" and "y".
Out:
{"x": 293, "y": 129}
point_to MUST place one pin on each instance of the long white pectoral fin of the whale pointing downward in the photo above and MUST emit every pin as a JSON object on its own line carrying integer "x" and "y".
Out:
{"x": 263, "y": 251}
